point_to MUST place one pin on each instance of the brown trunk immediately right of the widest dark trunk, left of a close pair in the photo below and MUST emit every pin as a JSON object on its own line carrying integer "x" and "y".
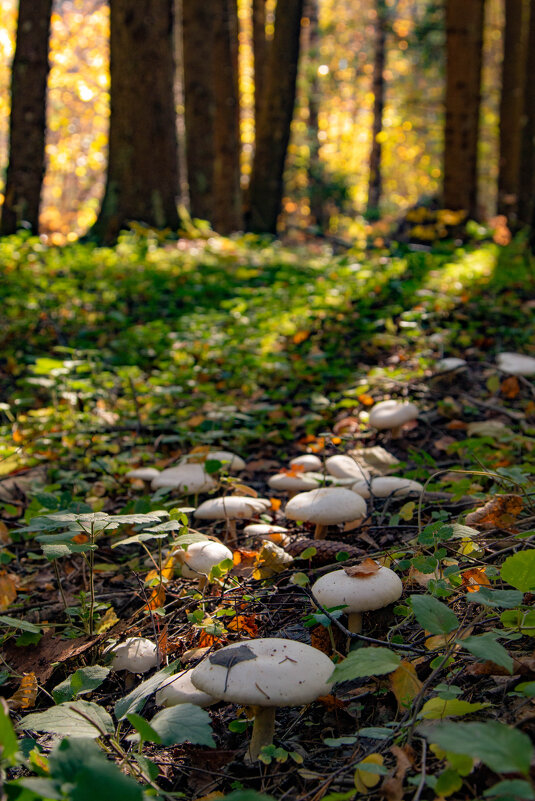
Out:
{"x": 199, "y": 103}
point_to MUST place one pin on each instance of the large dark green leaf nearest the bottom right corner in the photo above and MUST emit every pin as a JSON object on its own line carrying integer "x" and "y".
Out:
{"x": 501, "y": 748}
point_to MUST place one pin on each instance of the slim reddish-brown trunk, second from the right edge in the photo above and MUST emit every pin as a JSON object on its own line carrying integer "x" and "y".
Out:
{"x": 511, "y": 107}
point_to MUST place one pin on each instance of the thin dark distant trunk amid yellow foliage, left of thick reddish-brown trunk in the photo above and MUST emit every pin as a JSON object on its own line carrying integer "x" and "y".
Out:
{"x": 378, "y": 88}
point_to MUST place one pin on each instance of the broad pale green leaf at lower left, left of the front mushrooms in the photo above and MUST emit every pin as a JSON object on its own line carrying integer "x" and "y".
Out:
{"x": 76, "y": 719}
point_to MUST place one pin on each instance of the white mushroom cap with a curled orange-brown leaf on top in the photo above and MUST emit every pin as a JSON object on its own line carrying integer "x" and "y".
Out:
{"x": 358, "y": 593}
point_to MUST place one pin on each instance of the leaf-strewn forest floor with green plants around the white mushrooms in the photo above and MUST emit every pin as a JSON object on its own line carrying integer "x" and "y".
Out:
{"x": 134, "y": 356}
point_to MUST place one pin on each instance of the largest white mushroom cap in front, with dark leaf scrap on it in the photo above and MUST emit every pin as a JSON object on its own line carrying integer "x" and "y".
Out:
{"x": 265, "y": 672}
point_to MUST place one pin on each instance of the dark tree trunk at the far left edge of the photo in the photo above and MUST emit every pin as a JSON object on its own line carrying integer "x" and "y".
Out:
{"x": 27, "y": 124}
